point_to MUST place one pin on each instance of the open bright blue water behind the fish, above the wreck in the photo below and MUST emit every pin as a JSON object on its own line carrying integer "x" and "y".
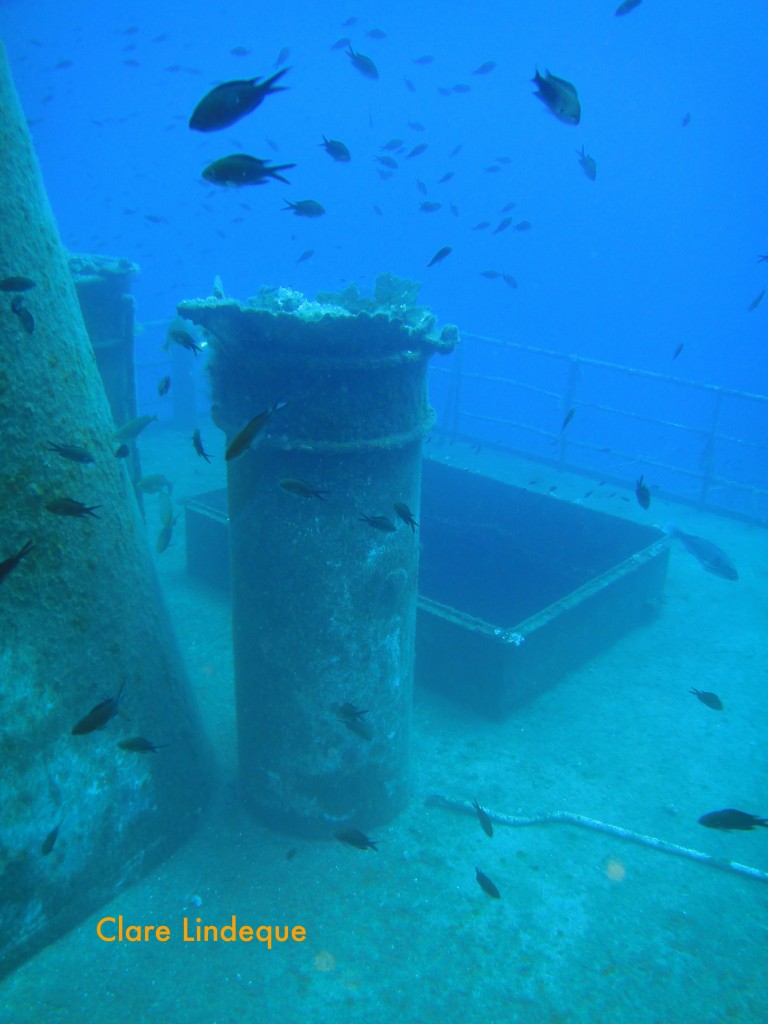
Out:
{"x": 660, "y": 251}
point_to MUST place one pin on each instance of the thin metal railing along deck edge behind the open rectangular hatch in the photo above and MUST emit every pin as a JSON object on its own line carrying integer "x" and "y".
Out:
{"x": 699, "y": 444}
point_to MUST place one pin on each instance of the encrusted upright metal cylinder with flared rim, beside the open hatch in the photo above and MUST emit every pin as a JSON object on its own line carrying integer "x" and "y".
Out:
{"x": 324, "y": 603}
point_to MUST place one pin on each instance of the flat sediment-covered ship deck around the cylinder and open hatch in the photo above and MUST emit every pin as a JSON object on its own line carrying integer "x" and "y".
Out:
{"x": 588, "y": 928}
